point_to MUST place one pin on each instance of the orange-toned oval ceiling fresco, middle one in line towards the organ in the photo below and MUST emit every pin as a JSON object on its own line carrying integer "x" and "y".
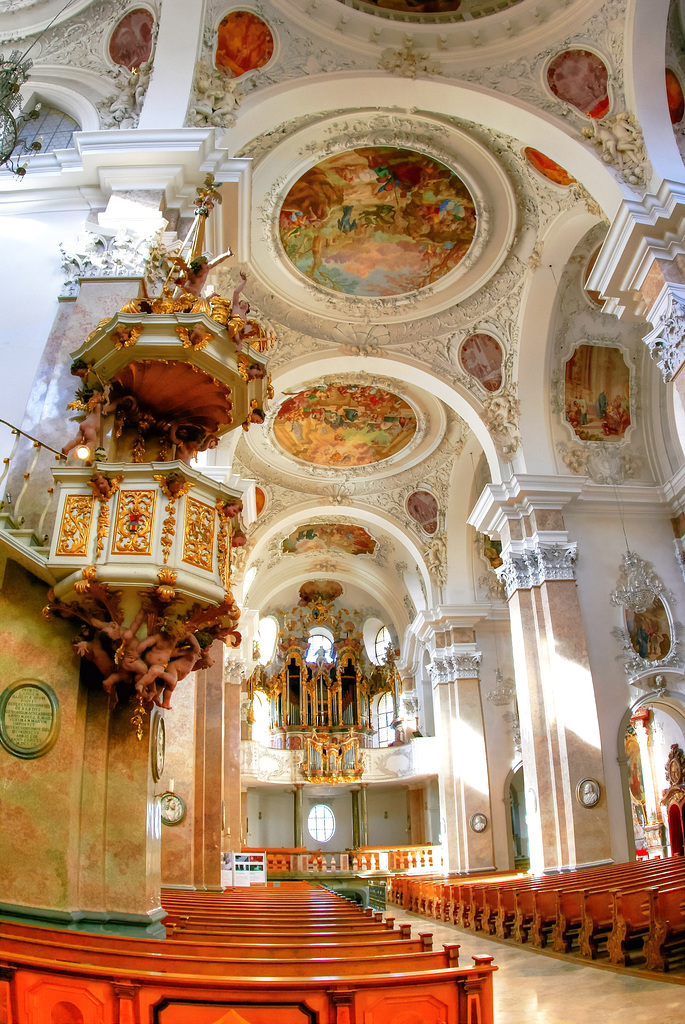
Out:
{"x": 345, "y": 425}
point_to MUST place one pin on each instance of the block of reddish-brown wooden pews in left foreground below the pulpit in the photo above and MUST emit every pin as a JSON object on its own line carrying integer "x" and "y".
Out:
{"x": 316, "y": 957}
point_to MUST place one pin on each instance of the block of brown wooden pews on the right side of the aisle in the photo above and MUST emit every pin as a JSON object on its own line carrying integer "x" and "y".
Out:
{"x": 633, "y": 914}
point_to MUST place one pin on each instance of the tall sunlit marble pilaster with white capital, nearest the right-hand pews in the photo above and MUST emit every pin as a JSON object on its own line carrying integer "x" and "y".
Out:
{"x": 561, "y": 739}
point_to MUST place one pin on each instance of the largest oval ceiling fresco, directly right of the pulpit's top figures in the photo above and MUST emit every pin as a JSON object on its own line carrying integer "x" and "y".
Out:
{"x": 377, "y": 222}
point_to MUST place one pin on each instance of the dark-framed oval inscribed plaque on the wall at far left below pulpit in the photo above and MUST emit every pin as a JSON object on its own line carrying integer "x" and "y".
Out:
{"x": 29, "y": 718}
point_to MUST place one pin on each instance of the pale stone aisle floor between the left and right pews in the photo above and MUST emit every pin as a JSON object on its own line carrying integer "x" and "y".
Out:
{"x": 536, "y": 989}
